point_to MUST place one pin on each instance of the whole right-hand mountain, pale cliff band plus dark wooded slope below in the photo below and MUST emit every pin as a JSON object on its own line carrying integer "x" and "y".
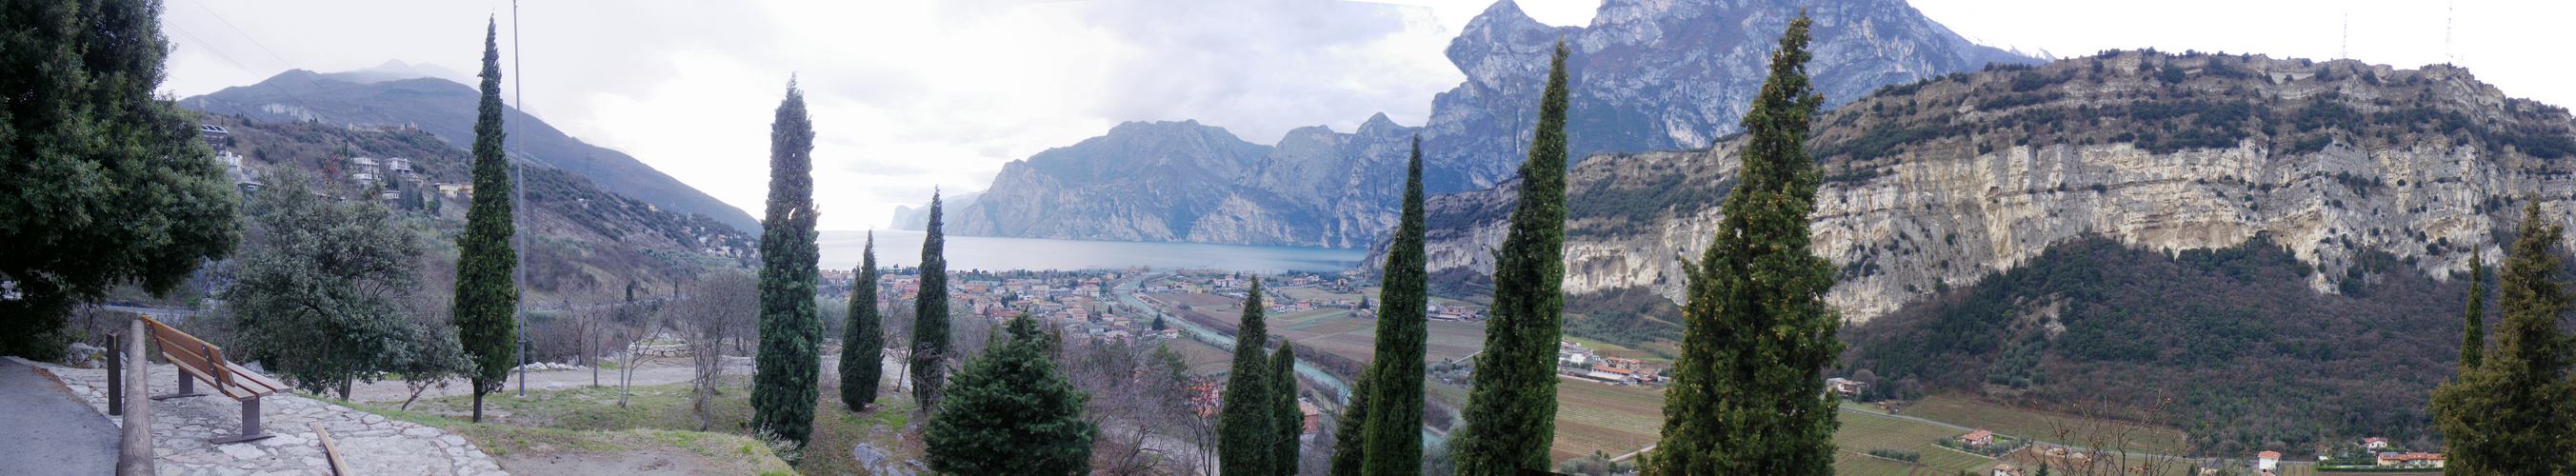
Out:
{"x": 2258, "y": 251}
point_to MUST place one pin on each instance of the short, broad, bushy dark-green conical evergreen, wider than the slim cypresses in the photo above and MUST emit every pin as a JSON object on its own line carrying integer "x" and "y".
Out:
{"x": 1014, "y": 413}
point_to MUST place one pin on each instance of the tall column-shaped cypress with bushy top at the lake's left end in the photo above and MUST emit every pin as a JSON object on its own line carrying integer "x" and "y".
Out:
{"x": 790, "y": 325}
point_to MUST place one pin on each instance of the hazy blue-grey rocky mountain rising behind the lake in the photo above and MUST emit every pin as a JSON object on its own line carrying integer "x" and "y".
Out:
{"x": 1647, "y": 76}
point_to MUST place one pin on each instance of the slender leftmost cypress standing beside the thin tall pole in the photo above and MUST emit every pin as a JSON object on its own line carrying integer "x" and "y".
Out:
{"x": 486, "y": 295}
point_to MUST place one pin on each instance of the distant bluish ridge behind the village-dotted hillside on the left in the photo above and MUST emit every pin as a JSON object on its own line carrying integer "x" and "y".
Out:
{"x": 447, "y": 112}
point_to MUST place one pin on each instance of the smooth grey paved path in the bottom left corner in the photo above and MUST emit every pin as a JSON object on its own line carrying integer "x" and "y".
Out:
{"x": 50, "y": 431}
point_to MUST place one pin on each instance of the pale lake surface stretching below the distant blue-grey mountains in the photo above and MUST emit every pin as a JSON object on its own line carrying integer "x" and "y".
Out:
{"x": 1006, "y": 253}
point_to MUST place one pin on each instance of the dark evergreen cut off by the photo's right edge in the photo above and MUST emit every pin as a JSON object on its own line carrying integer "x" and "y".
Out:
{"x": 2510, "y": 413}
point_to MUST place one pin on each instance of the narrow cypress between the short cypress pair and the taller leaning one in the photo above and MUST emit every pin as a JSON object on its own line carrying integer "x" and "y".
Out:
{"x": 1395, "y": 431}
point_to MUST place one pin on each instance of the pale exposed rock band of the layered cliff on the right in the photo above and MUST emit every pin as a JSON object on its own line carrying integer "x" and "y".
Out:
{"x": 1938, "y": 184}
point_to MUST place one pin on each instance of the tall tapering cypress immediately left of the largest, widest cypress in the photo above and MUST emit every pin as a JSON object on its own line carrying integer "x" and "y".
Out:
{"x": 1511, "y": 416}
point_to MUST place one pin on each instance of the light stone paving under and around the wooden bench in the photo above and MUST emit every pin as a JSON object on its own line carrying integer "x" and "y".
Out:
{"x": 370, "y": 444}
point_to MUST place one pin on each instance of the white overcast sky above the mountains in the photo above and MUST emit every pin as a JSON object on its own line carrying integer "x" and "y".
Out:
{"x": 916, "y": 94}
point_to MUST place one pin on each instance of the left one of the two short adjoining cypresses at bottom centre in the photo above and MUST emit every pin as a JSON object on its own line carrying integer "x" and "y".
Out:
{"x": 1243, "y": 423}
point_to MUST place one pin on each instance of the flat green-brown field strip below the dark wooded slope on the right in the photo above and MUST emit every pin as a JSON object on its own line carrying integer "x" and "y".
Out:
{"x": 2039, "y": 426}
